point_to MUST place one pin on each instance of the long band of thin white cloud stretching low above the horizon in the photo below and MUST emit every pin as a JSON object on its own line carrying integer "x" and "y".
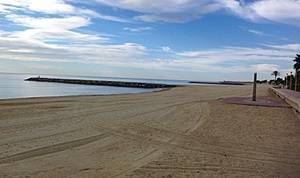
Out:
{"x": 224, "y": 60}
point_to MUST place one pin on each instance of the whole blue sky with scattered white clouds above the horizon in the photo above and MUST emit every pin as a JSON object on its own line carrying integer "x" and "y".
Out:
{"x": 206, "y": 40}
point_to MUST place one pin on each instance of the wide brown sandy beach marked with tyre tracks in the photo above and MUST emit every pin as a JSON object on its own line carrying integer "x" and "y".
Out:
{"x": 181, "y": 132}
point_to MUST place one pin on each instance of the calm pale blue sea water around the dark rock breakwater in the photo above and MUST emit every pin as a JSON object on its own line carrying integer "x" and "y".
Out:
{"x": 14, "y": 86}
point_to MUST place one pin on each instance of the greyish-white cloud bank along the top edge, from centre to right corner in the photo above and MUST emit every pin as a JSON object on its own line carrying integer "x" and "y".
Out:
{"x": 283, "y": 11}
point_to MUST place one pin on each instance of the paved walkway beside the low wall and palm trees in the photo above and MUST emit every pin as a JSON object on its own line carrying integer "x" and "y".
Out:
{"x": 290, "y": 96}
